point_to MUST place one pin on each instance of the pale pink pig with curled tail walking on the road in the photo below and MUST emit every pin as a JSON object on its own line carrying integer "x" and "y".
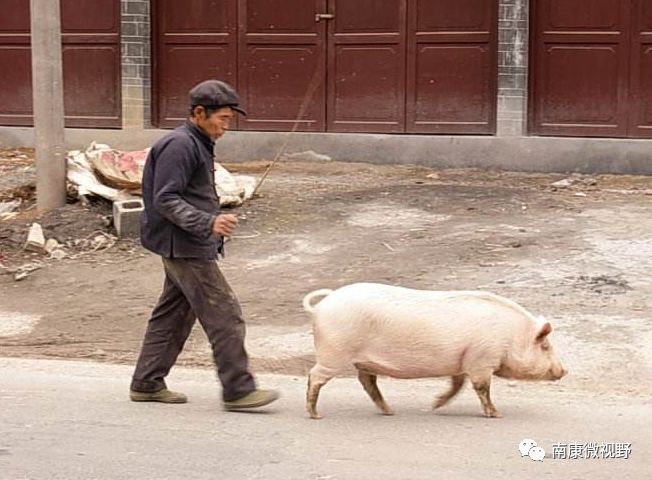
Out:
{"x": 405, "y": 333}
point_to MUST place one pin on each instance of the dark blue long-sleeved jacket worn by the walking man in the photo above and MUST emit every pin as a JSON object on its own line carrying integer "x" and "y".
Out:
{"x": 179, "y": 196}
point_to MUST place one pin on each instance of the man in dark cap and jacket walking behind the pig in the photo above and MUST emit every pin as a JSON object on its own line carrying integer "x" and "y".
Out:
{"x": 182, "y": 223}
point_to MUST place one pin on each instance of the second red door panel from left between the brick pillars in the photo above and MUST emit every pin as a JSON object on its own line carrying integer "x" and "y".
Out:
{"x": 282, "y": 64}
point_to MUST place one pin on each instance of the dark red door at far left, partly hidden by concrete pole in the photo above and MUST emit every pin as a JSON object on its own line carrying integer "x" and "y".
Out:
{"x": 91, "y": 63}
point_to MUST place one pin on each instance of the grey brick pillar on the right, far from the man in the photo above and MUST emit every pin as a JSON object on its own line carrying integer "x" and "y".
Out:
{"x": 513, "y": 35}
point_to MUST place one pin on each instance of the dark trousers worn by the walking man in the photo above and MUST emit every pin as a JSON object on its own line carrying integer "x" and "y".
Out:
{"x": 195, "y": 288}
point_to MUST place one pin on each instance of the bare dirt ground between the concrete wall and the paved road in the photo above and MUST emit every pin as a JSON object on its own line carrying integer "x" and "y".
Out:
{"x": 580, "y": 255}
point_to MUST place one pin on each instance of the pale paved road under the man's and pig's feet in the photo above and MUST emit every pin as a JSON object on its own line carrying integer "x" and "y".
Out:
{"x": 71, "y": 420}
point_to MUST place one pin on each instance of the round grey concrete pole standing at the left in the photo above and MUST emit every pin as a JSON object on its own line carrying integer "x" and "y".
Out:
{"x": 47, "y": 84}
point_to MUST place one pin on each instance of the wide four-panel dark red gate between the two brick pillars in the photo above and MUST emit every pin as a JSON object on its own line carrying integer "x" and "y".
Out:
{"x": 386, "y": 66}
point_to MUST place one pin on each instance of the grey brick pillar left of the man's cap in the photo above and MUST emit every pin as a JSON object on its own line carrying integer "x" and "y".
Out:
{"x": 136, "y": 77}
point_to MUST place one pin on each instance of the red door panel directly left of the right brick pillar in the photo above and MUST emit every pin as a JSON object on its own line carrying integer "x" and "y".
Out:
{"x": 452, "y": 66}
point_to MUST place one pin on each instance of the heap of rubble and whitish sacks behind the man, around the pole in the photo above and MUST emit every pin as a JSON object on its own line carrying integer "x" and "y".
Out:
{"x": 97, "y": 177}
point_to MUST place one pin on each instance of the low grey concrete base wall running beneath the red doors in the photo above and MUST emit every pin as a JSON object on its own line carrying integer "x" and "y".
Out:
{"x": 543, "y": 154}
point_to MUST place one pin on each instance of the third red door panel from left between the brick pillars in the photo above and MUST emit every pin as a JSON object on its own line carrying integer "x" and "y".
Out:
{"x": 366, "y": 66}
